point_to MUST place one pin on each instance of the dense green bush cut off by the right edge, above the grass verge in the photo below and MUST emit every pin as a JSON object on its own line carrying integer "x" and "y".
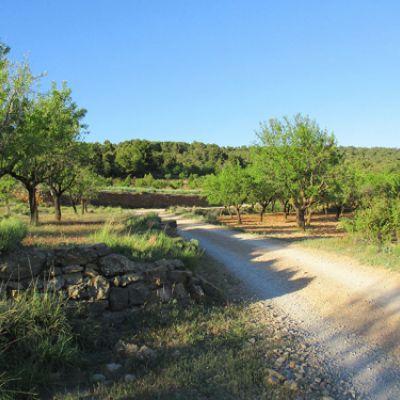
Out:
{"x": 379, "y": 223}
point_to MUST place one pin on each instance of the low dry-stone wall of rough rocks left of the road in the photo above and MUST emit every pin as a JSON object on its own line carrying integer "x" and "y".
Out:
{"x": 95, "y": 274}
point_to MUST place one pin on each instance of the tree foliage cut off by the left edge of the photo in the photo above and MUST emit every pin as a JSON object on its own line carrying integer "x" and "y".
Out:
{"x": 15, "y": 86}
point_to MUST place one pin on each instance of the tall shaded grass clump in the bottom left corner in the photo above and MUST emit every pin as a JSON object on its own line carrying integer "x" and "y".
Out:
{"x": 36, "y": 340}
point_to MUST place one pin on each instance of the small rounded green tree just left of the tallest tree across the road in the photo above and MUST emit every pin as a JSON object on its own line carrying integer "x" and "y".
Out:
{"x": 231, "y": 187}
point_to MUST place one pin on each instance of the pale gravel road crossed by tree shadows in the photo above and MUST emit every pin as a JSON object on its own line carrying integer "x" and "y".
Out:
{"x": 351, "y": 312}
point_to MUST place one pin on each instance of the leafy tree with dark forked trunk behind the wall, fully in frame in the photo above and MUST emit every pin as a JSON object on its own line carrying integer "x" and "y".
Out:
{"x": 50, "y": 126}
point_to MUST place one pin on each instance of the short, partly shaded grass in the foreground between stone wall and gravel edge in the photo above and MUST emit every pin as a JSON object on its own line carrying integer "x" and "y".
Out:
{"x": 202, "y": 352}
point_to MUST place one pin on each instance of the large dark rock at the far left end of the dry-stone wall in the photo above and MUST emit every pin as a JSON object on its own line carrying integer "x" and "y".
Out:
{"x": 22, "y": 264}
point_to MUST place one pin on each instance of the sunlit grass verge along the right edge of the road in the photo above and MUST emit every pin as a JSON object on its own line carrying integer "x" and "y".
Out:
{"x": 365, "y": 253}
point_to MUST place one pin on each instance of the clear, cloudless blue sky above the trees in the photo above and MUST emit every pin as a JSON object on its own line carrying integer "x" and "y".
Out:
{"x": 211, "y": 70}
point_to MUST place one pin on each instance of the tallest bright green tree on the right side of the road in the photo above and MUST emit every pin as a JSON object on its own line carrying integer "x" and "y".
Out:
{"x": 303, "y": 155}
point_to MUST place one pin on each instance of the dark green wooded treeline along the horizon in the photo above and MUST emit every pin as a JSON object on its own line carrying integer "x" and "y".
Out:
{"x": 136, "y": 158}
